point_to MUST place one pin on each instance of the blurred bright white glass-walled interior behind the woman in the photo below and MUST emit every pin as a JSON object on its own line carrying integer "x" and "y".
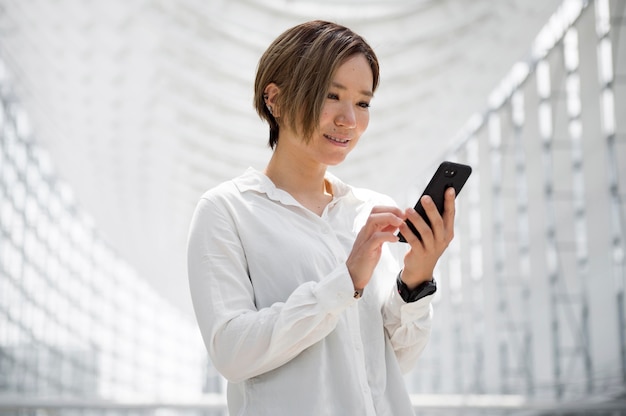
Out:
{"x": 116, "y": 116}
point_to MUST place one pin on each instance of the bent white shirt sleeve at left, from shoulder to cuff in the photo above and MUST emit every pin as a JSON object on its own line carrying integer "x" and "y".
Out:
{"x": 242, "y": 341}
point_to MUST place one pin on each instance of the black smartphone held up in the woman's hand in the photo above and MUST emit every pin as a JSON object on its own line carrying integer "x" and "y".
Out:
{"x": 447, "y": 175}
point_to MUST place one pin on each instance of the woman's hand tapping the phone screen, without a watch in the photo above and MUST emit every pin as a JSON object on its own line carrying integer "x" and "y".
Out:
{"x": 380, "y": 228}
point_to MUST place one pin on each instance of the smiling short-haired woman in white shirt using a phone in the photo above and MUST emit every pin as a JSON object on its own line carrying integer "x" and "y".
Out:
{"x": 301, "y": 304}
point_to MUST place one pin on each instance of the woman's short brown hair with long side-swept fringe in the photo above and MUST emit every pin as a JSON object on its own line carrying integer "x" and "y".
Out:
{"x": 301, "y": 62}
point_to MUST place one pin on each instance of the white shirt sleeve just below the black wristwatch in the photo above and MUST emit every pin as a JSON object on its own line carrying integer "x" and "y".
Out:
{"x": 408, "y": 326}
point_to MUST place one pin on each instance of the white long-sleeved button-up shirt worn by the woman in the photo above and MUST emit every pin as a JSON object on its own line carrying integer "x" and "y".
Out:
{"x": 274, "y": 302}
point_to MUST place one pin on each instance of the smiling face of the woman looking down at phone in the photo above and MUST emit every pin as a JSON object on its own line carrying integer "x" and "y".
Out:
{"x": 344, "y": 116}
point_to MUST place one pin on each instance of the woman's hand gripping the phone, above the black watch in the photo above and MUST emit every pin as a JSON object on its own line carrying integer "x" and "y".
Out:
{"x": 420, "y": 260}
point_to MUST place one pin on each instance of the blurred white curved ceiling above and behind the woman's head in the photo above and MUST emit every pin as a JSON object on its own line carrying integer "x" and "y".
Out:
{"x": 145, "y": 104}
